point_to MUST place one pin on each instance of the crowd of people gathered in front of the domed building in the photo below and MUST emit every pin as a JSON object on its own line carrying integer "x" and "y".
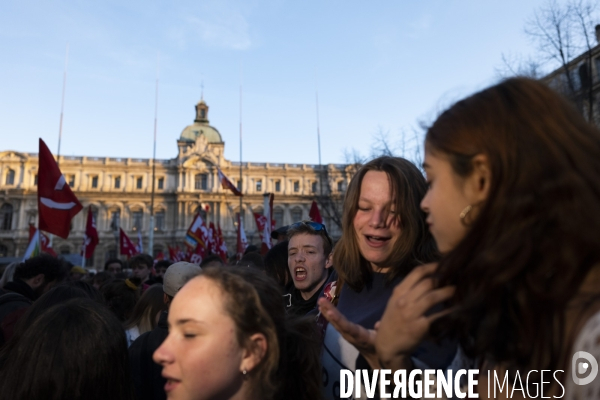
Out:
{"x": 490, "y": 259}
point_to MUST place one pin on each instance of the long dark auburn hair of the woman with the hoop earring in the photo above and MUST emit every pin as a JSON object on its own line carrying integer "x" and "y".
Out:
{"x": 536, "y": 237}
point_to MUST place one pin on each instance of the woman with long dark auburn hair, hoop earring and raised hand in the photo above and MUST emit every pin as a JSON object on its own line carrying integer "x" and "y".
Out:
{"x": 513, "y": 204}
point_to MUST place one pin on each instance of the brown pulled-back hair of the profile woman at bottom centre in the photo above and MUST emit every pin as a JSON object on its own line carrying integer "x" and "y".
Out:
{"x": 291, "y": 366}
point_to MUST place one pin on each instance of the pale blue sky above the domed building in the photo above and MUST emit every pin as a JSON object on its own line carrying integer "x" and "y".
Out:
{"x": 381, "y": 66}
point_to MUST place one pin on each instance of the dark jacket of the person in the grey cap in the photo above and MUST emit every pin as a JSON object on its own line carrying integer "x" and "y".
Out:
{"x": 147, "y": 379}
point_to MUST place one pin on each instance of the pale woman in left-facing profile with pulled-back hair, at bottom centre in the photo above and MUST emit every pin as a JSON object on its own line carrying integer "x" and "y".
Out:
{"x": 230, "y": 338}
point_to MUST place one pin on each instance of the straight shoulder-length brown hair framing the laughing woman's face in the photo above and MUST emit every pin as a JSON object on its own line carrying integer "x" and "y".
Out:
{"x": 415, "y": 245}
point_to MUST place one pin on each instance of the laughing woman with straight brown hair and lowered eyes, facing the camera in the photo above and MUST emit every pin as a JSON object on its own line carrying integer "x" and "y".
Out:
{"x": 384, "y": 237}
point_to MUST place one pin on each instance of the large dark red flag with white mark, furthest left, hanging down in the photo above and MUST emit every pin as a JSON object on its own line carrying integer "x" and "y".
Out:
{"x": 57, "y": 204}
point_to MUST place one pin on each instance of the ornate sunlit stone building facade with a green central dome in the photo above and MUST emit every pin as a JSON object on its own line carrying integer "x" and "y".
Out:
{"x": 119, "y": 191}
